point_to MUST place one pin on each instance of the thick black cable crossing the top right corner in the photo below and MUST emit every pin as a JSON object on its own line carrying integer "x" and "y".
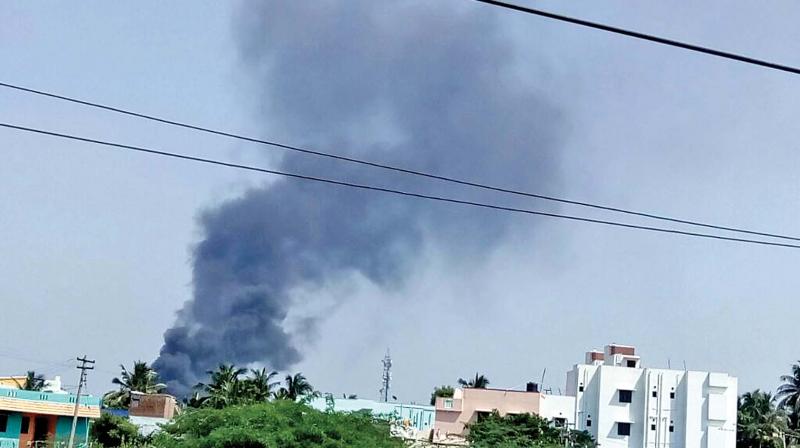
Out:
{"x": 643, "y": 36}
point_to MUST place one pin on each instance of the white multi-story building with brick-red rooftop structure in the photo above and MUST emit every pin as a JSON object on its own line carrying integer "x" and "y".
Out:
{"x": 623, "y": 404}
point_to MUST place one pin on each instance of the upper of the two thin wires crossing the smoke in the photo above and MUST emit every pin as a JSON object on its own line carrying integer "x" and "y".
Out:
{"x": 391, "y": 167}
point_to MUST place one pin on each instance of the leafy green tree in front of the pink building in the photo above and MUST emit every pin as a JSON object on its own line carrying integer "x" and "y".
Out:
{"x": 521, "y": 430}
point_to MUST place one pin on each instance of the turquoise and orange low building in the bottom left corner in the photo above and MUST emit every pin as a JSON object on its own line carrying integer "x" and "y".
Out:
{"x": 37, "y": 418}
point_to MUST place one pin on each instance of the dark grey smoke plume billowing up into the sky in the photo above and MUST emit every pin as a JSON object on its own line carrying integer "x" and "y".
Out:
{"x": 416, "y": 83}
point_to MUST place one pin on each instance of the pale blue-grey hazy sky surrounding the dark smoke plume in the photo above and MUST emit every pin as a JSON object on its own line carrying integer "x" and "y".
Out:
{"x": 96, "y": 245}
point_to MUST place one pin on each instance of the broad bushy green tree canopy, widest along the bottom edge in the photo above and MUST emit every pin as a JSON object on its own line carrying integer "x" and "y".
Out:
{"x": 279, "y": 423}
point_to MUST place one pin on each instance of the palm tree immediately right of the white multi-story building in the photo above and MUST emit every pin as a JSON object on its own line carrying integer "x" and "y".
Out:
{"x": 761, "y": 424}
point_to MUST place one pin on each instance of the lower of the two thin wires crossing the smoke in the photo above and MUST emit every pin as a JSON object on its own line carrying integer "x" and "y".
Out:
{"x": 390, "y": 190}
